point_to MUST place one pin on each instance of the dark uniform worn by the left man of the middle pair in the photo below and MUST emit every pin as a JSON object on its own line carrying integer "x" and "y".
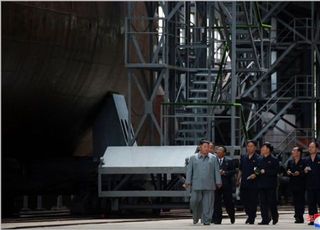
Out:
{"x": 249, "y": 188}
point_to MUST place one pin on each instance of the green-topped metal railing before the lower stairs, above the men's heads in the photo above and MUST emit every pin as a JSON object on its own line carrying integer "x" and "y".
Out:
{"x": 202, "y": 119}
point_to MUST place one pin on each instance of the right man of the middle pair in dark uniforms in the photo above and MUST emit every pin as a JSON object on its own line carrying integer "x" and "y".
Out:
{"x": 268, "y": 168}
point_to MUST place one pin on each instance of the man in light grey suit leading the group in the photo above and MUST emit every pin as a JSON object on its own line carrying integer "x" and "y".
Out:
{"x": 203, "y": 177}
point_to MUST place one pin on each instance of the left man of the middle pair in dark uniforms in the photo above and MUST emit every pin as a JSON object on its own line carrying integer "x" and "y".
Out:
{"x": 248, "y": 182}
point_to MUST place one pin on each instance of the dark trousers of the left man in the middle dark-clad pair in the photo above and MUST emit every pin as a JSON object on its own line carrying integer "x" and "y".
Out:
{"x": 249, "y": 199}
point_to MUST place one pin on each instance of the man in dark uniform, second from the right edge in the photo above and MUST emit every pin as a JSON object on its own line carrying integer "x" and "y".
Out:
{"x": 295, "y": 170}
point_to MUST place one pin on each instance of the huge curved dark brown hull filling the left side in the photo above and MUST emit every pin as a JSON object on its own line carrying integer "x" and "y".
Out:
{"x": 59, "y": 61}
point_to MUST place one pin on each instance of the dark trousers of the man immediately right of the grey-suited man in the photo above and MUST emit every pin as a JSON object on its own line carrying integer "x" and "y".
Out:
{"x": 224, "y": 193}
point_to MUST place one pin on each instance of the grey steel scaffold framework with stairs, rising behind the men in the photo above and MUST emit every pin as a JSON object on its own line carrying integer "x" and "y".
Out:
{"x": 228, "y": 71}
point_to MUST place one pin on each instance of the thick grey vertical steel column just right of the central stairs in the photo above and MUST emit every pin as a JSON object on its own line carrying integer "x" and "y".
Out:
{"x": 233, "y": 76}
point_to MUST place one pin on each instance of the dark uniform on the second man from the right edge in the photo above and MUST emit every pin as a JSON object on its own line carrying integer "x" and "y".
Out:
{"x": 297, "y": 187}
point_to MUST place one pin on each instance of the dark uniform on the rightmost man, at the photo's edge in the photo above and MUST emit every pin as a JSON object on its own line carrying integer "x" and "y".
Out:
{"x": 313, "y": 184}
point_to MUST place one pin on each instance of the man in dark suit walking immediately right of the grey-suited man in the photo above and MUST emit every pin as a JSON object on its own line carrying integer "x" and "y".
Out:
{"x": 227, "y": 172}
